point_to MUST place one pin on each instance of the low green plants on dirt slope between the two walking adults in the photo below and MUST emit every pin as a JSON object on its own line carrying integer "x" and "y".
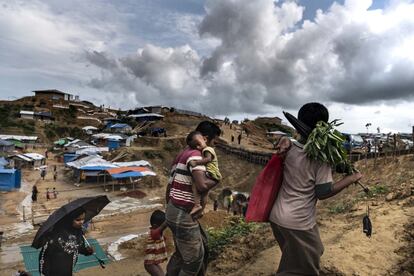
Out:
{"x": 219, "y": 238}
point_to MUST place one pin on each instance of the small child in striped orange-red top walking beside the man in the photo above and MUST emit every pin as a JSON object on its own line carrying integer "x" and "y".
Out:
{"x": 156, "y": 251}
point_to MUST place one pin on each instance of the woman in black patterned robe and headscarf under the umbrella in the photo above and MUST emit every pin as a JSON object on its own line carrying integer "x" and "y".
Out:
{"x": 64, "y": 243}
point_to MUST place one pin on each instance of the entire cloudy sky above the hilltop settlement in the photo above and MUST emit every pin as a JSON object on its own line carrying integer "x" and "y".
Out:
{"x": 239, "y": 58}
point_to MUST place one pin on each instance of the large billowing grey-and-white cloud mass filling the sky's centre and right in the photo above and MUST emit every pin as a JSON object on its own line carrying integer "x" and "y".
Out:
{"x": 267, "y": 56}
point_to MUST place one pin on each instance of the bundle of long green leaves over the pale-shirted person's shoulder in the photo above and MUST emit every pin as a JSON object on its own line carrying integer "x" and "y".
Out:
{"x": 326, "y": 144}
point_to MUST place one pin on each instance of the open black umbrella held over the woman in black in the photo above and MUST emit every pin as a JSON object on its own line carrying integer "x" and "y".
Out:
{"x": 91, "y": 205}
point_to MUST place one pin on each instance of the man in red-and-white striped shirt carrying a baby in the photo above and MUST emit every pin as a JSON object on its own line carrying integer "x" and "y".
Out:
{"x": 188, "y": 258}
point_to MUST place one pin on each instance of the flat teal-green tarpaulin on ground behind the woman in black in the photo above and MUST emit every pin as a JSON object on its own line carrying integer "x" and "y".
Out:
{"x": 31, "y": 258}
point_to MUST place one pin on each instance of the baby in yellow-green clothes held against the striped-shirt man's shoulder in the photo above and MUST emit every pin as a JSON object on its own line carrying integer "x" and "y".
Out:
{"x": 195, "y": 140}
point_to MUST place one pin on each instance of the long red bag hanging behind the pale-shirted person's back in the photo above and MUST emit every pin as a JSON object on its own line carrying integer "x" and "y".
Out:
{"x": 265, "y": 190}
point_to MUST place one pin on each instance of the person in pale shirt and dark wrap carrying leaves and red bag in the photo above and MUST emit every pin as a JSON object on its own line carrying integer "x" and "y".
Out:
{"x": 293, "y": 216}
